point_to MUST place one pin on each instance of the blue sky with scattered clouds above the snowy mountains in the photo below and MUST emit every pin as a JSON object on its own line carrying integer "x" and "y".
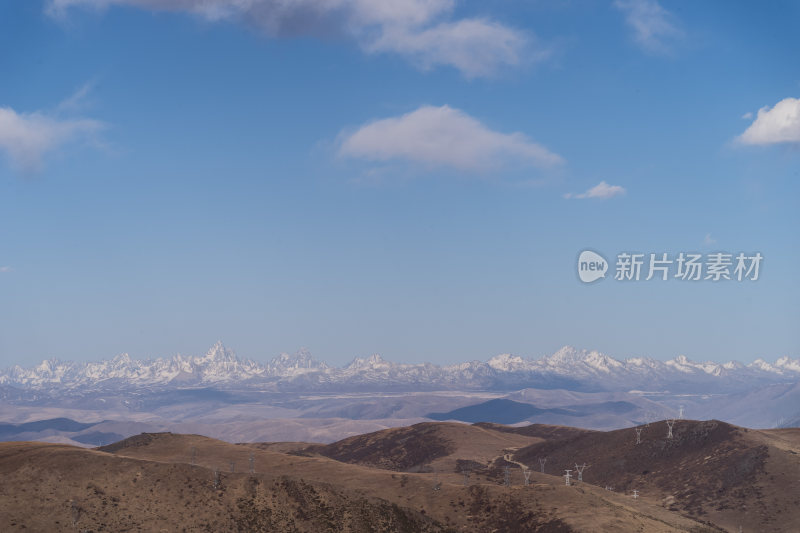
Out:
{"x": 413, "y": 178}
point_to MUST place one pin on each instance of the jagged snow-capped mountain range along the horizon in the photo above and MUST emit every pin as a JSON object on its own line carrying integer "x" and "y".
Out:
{"x": 568, "y": 368}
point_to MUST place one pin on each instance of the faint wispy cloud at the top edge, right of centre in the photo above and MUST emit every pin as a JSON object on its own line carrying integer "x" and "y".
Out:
{"x": 653, "y": 26}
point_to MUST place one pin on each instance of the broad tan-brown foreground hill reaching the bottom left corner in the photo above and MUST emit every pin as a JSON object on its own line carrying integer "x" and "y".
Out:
{"x": 147, "y": 484}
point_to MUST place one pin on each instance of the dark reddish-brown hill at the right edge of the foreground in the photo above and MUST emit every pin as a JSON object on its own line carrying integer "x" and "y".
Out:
{"x": 710, "y": 470}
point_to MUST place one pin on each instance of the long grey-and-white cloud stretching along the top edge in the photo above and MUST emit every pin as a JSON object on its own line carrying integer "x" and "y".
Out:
{"x": 423, "y": 31}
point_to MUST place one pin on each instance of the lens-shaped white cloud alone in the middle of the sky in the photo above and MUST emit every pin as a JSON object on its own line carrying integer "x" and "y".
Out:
{"x": 443, "y": 137}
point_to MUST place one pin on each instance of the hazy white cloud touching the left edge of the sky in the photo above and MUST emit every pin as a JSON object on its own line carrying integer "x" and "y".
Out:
{"x": 27, "y": 137}
